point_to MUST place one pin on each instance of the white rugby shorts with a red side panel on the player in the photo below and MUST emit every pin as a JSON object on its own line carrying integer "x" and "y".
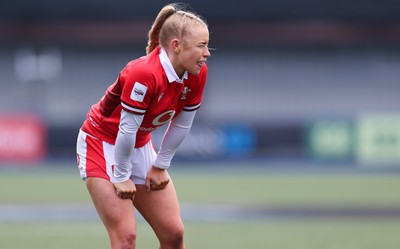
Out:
{"x": 96, "y": 159}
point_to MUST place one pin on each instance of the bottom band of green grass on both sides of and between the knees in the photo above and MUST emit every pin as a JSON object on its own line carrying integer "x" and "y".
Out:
{"x": 287, "y": 234}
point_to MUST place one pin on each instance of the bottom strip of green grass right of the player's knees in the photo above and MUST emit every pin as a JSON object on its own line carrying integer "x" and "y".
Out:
{"x": 297, "y": 234}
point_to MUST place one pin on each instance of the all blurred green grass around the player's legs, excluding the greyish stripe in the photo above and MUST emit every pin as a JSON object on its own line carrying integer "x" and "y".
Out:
{"x": 217, "y": 186}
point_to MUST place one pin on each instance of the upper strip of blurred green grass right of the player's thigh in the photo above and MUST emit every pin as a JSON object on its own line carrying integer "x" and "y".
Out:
{"x": 282, "y": 189}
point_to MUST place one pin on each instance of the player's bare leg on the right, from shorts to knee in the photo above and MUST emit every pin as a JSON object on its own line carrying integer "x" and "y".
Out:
{"x": 160, "y": 208}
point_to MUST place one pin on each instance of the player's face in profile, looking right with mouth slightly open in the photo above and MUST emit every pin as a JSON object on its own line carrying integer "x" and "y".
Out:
{"x": 194, "y": 51}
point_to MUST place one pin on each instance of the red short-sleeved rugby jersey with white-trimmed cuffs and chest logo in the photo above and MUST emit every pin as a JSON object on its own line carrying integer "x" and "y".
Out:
{"x": 143, "y": 88}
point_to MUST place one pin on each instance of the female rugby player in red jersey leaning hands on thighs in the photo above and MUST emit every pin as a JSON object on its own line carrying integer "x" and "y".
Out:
{"x": 116, "y": 157}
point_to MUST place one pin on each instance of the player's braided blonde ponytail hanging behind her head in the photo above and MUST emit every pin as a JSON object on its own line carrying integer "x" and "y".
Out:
{"x": 154, "y": 32}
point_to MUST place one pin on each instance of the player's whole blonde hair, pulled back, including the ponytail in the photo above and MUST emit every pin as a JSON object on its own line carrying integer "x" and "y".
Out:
{"x": 171, "y": 21}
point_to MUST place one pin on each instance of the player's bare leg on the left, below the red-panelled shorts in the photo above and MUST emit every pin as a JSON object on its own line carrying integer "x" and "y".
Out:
{"x": 117, "y": 214}
